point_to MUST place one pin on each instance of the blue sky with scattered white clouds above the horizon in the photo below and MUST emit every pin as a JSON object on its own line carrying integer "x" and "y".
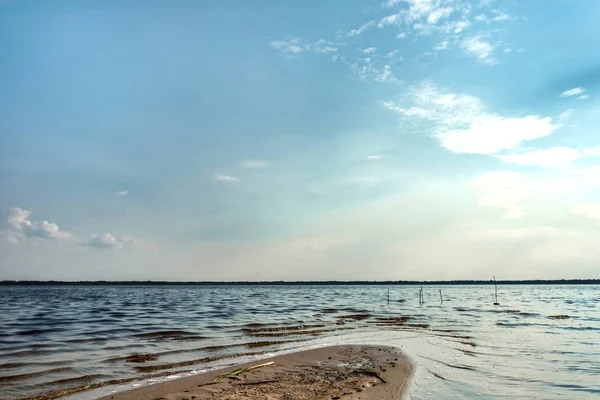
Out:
{"x": 305, "y": 140}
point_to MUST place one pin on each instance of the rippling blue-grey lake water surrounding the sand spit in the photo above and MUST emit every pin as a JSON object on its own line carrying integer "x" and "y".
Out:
{"x": 54, "y": 338}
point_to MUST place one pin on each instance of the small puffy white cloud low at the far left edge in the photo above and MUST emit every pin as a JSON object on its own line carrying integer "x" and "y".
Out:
{"x": 21, "y": 228}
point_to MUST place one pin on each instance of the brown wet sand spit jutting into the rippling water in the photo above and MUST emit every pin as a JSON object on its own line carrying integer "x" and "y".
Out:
{"x": 339, "y": 372}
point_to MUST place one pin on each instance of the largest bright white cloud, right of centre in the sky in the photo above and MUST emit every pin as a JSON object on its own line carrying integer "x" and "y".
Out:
{"x": 462, "y": 124}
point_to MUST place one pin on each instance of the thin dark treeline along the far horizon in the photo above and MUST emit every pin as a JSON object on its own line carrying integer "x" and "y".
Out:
{"x": 298, "y": 283}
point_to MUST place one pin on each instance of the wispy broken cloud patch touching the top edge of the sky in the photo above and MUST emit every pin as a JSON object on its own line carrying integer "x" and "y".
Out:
{"x": 453, "y": 23}
